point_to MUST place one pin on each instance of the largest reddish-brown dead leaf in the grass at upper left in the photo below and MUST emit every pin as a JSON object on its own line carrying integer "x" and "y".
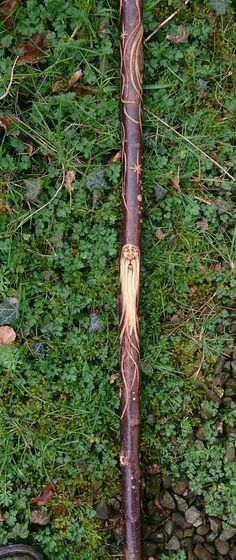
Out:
{"x": 33, "y": 50}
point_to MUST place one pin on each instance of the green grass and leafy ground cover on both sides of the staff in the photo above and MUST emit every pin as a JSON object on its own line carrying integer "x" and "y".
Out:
{"x": 59, "y": 257}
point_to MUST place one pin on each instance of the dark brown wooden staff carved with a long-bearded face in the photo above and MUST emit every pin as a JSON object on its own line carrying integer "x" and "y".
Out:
{"x": 131, "y": 130}
